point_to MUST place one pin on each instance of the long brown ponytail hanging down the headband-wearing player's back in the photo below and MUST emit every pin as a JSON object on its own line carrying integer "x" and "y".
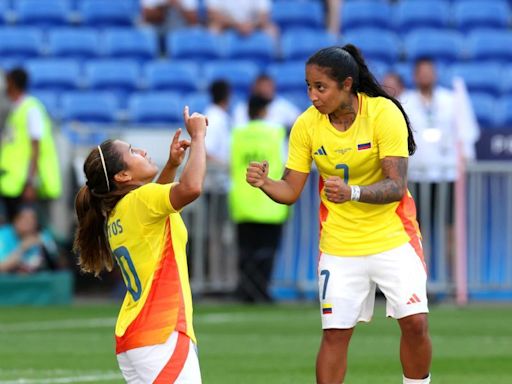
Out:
{"x": 91, "y": 241}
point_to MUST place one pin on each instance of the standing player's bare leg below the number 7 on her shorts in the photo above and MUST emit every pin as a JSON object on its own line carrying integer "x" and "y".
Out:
{"x": 331, "y": 362}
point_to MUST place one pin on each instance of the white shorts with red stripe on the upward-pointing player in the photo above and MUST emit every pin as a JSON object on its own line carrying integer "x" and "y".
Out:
{"x": 175, "y": 361}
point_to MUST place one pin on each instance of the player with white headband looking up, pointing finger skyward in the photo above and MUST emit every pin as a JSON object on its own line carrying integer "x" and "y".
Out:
{"x": 123, "y": 215}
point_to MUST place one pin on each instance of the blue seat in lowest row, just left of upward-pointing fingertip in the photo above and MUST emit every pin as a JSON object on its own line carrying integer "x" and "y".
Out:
{"x": 156, "y": 108}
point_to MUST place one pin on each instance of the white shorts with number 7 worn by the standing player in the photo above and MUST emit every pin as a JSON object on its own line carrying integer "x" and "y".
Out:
{"x": 347, "y": 285}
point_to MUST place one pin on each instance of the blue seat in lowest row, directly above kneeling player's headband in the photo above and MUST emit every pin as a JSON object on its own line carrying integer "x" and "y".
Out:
{"x": 89, "y": 107}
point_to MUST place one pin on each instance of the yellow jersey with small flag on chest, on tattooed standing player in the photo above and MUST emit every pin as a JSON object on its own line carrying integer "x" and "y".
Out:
{"x": 379, "y": 130}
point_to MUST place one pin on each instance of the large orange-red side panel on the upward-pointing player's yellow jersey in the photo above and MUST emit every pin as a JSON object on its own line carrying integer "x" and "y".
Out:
{"x": 164, "y": 309}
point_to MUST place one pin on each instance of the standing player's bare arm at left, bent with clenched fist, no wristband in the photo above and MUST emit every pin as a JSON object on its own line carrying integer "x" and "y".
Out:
{"x": 284, "y": 191}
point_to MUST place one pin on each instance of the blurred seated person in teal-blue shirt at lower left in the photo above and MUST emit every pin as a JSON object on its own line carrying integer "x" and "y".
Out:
{"x": 23, "y": 247}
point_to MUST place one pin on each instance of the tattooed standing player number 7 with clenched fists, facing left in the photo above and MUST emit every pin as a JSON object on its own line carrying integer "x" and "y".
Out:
{"x": 360, "y": 139}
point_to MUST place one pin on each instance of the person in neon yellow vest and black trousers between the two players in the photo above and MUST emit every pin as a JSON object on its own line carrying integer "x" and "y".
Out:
{"x": 259, "y": 220}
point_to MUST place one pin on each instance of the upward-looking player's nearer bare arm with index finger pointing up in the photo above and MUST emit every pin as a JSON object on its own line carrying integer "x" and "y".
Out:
{"x": 191, "y": 180}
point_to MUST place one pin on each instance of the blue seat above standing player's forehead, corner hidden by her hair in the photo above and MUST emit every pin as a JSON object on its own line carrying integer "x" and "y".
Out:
{"x": 300, "y": 44}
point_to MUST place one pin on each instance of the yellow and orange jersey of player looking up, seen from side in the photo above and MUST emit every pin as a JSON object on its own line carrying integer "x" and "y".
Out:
{"x": 148, "y": 239}
